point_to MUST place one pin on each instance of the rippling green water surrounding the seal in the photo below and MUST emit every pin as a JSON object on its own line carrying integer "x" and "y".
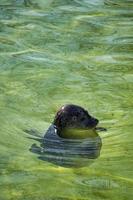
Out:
{"x": 55, "y": 52}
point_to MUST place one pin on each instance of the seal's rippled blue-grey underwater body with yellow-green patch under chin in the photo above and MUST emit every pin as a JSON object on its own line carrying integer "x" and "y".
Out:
{"x": 78, "y": 150}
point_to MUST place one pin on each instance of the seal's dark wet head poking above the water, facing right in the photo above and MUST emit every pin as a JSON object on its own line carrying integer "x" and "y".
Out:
{"x": 72, "y": 117}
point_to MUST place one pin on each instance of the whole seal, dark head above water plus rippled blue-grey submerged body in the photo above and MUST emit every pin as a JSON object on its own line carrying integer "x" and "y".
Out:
{"x": 71, "y": 140}
